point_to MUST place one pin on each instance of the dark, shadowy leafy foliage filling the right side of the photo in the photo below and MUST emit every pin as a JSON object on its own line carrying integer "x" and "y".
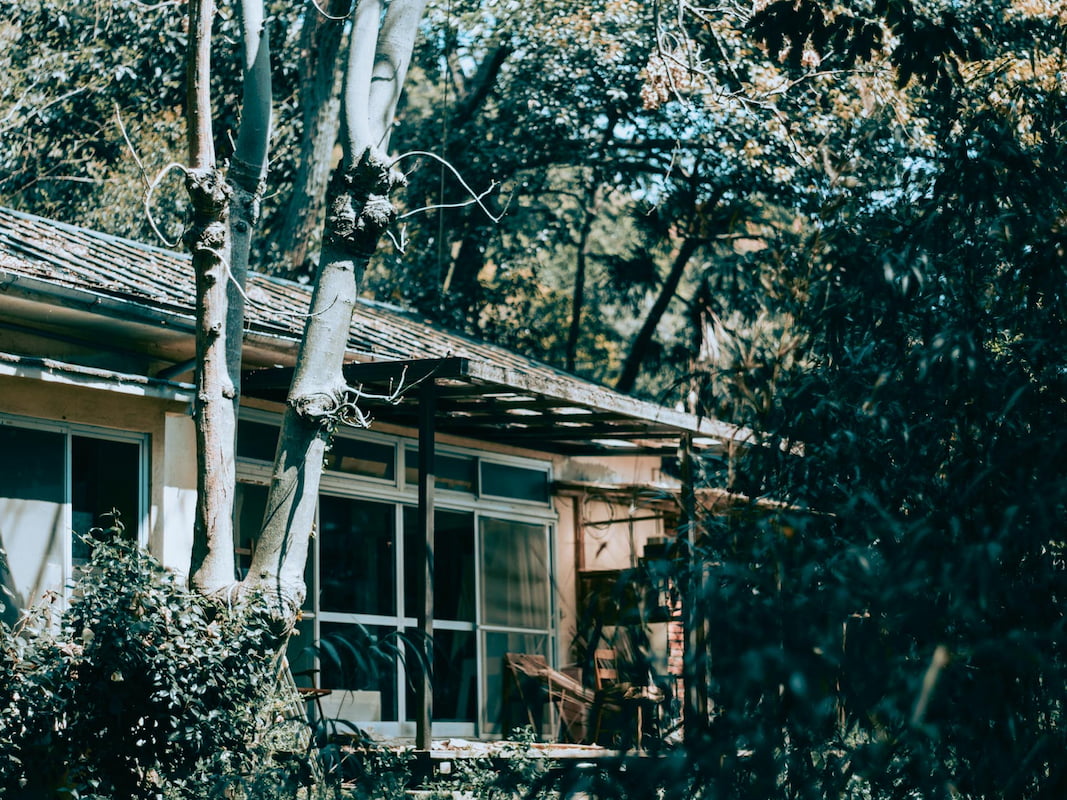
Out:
{"x": 898, "y": 632}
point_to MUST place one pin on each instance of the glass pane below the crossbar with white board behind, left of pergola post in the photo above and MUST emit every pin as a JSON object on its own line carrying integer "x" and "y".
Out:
{"x": 360, "y": 665}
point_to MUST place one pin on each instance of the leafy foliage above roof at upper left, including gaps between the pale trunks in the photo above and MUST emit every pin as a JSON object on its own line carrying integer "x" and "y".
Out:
{"x": 91, "y": 109}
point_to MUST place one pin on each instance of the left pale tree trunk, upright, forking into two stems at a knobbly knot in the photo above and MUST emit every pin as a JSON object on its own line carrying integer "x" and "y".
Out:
{"x": 226, "y": 215}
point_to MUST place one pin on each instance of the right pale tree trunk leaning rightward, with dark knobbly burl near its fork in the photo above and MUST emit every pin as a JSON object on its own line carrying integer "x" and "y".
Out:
{"x": 360, "y": 211}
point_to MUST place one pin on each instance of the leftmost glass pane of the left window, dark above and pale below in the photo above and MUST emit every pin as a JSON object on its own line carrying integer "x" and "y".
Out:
{"x": 33, "y": 525}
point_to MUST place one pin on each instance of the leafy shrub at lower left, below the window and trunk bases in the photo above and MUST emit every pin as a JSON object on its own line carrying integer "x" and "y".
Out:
{"x": 146, "y": 691}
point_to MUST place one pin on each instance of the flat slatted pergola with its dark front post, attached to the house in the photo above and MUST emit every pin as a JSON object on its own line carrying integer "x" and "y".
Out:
{"x": 488, "y": 403}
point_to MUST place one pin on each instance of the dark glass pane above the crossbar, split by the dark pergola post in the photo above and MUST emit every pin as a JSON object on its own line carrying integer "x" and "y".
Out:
{"x": 454, "y": 587}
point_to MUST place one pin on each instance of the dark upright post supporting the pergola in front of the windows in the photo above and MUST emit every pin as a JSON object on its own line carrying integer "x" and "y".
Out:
{"x": 424, "y": 689}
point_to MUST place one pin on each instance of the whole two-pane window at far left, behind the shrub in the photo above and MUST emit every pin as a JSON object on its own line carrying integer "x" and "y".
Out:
{"x": 58, "y": 482}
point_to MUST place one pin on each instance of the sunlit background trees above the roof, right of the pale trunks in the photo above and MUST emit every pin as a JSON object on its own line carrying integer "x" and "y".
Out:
{"x": 624, "y": 175}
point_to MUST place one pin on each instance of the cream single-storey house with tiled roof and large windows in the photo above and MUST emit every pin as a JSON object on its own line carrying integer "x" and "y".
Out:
{"x": 546, "y": 486}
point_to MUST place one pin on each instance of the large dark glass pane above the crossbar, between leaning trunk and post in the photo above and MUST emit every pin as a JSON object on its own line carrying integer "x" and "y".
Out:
{"x": 357, "y": 556}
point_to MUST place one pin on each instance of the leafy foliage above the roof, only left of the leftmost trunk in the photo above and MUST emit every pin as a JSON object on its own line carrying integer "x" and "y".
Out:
{"x": 73, "y": 71}
